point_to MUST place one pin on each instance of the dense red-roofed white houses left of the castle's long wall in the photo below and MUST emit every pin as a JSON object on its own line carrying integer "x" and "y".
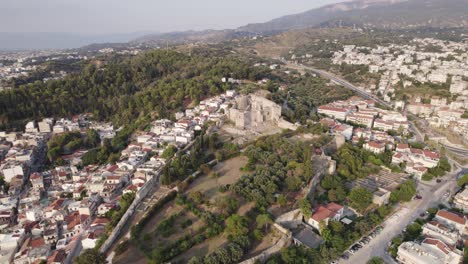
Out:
{"x": 54, "y": 214}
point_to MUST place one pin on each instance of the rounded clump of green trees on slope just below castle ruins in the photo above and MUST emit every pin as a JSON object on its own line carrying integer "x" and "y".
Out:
{"x": 278, "y": 165}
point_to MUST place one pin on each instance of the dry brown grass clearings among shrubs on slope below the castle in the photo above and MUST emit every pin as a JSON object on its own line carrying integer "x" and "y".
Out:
{"x": 179, "y": 221}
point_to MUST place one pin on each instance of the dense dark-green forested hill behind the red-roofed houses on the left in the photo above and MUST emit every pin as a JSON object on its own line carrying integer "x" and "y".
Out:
{"x": 123, "y": 88}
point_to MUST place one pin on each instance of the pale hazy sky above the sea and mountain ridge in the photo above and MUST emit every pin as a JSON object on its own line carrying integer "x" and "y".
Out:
{"x": 126, "y": 16}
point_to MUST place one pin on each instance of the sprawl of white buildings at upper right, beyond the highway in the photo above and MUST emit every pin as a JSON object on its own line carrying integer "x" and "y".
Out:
{"x": 422, "y": 61}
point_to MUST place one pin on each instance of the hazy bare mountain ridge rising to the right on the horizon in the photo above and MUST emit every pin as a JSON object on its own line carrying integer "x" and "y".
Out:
{"x": 388, "y": 14}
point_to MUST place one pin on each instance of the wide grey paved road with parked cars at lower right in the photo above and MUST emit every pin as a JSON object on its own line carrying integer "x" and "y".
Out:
{"x": 406, "y": 214}
